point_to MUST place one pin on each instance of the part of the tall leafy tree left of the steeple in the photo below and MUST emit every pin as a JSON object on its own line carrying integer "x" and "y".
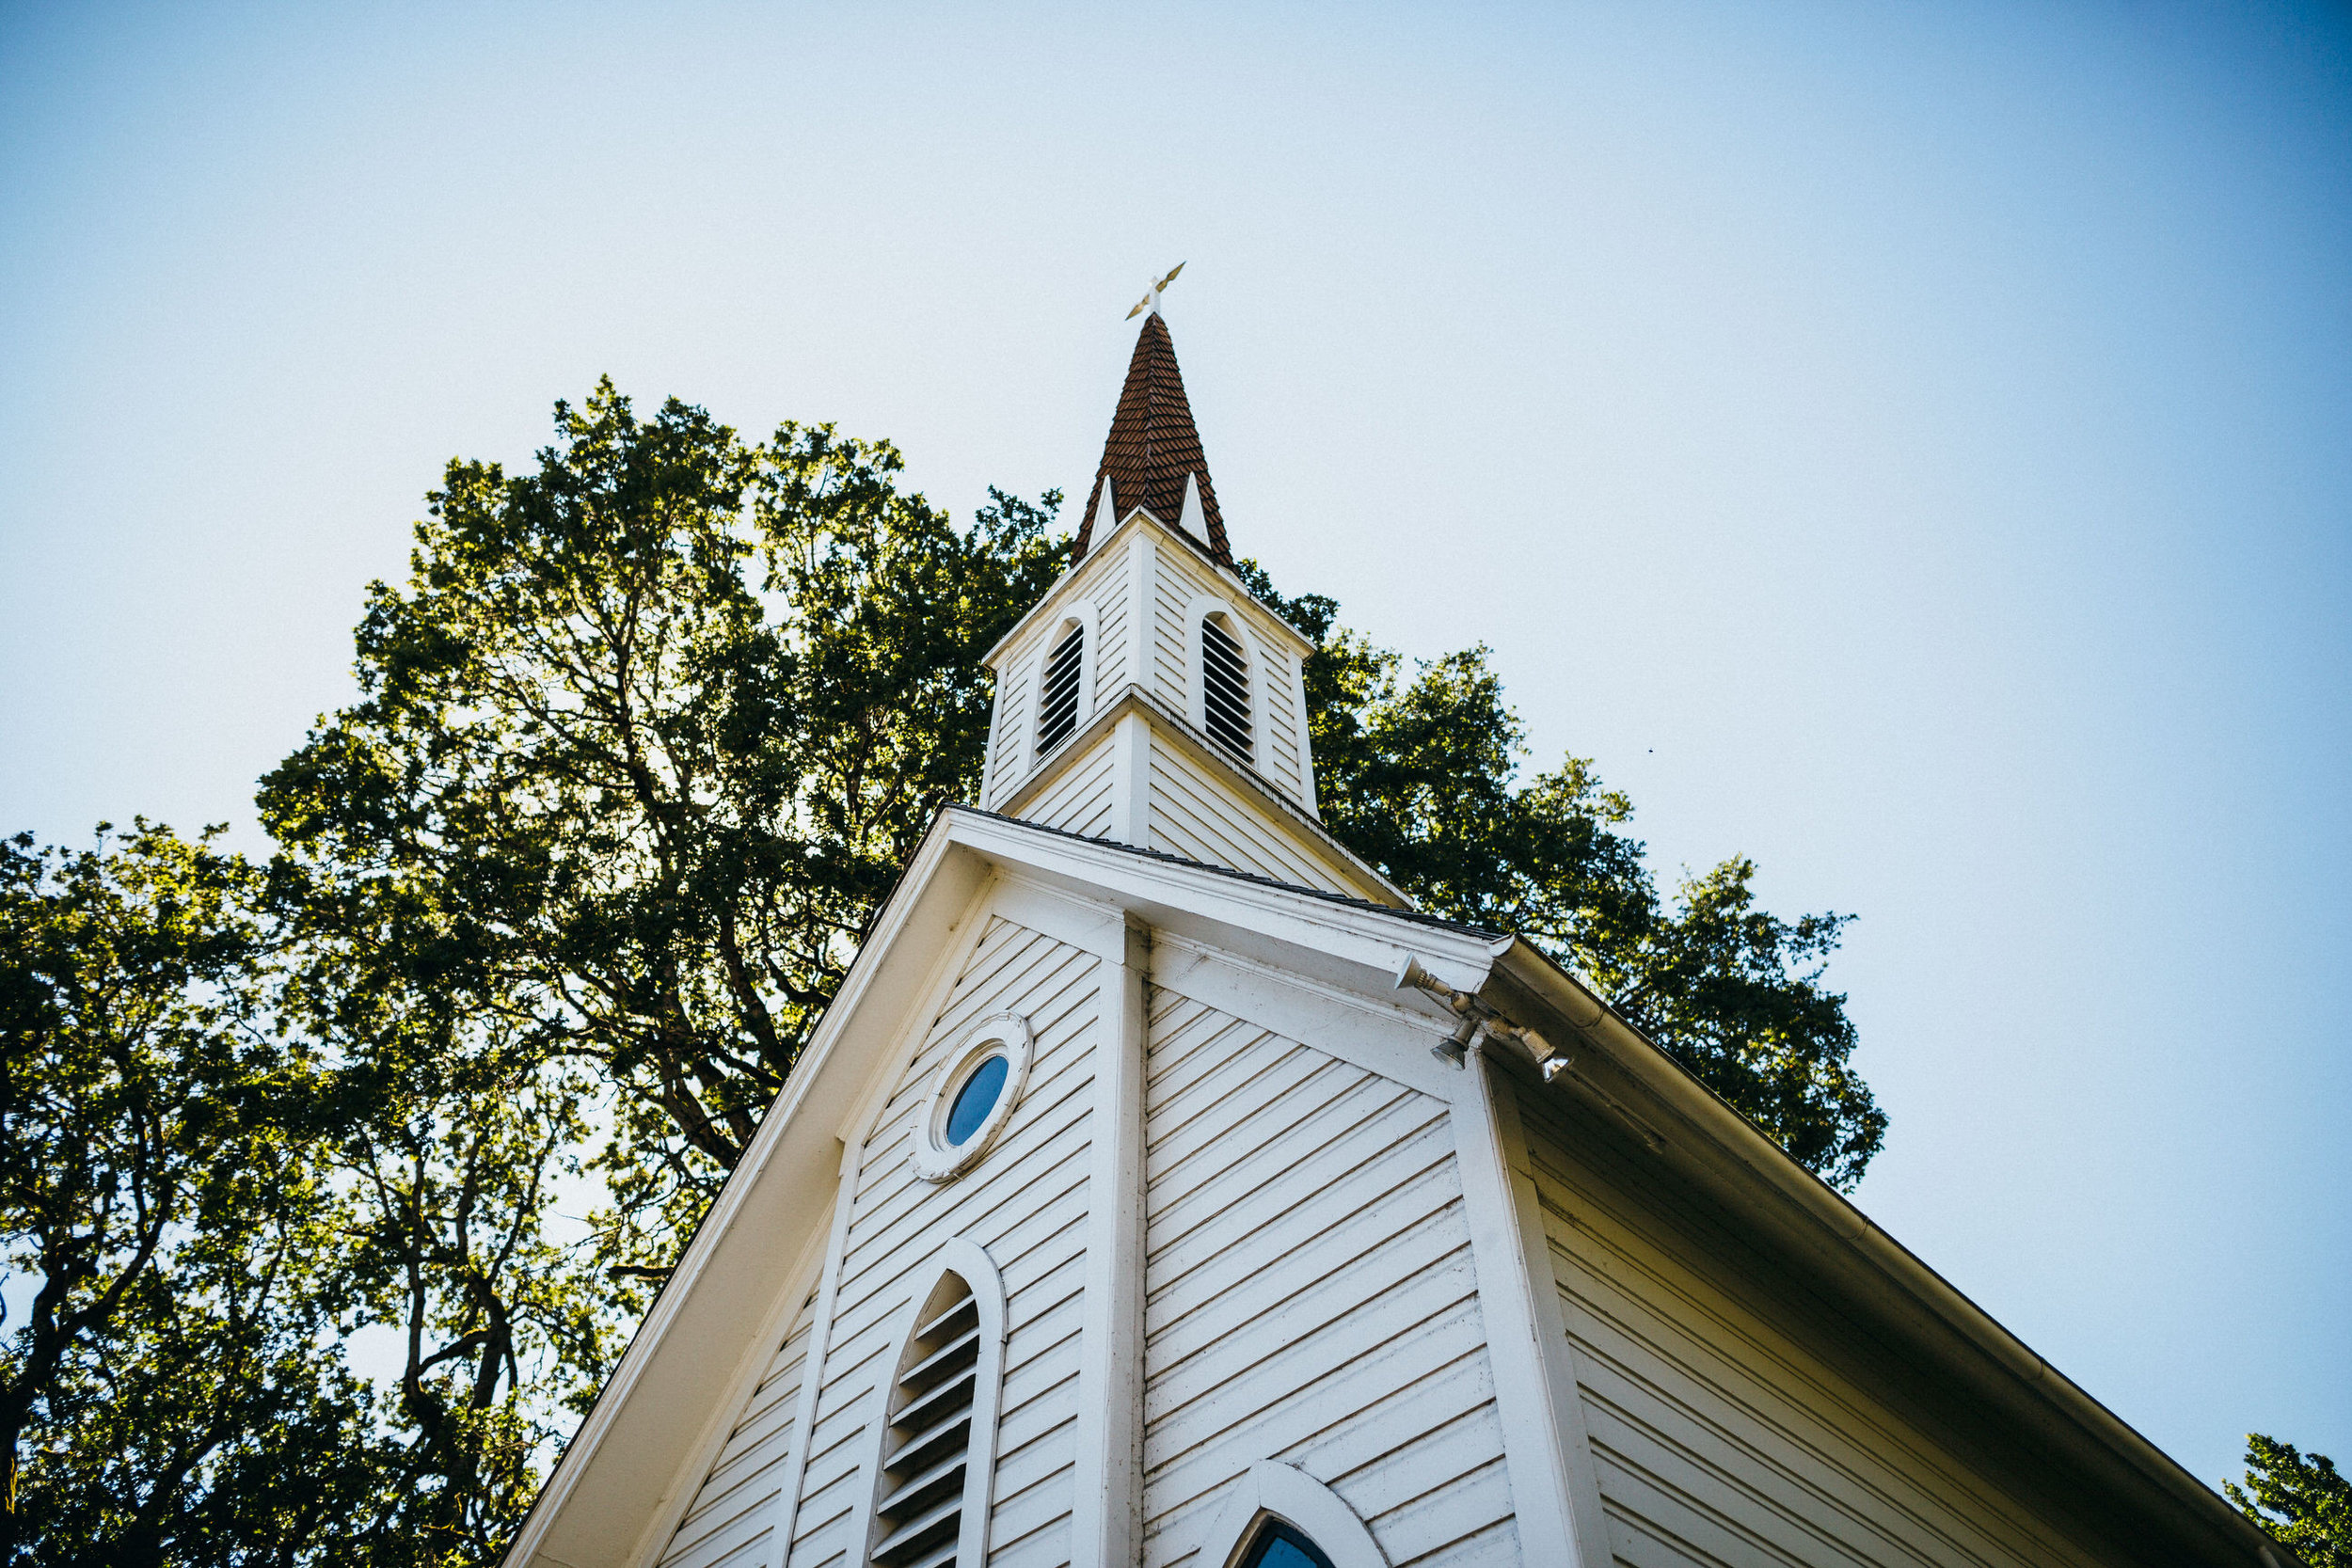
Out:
{"x": 641, "y": 746}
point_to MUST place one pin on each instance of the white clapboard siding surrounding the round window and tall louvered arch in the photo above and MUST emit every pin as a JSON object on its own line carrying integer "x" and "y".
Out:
{"x": 1024, "y": 1202}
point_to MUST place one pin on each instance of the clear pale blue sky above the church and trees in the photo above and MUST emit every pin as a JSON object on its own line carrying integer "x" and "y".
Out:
{"x": 1904, "y": 445}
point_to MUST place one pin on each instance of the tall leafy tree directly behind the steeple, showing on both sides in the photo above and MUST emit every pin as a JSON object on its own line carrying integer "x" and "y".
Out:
{"x": 650, "y": 732}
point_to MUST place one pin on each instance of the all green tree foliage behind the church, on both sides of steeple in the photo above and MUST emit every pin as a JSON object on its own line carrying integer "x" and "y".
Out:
{"x": 347, "y": 1177}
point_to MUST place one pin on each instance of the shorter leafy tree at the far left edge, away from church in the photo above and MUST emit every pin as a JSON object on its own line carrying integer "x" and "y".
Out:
{"x": 168, "y": 1395}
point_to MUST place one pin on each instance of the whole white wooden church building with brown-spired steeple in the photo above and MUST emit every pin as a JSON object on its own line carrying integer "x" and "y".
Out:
{"x": 1163, "y": 1191}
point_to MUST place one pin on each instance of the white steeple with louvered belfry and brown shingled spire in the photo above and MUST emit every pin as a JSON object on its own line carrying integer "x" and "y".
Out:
{"x": 1149, "y": 699}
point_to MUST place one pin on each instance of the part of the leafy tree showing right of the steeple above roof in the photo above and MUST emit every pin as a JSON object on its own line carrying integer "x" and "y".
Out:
{"x": 1422, "y": 777}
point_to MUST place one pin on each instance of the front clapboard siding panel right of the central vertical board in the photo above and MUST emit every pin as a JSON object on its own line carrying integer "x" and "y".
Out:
{"x": 1309, "y": 1296}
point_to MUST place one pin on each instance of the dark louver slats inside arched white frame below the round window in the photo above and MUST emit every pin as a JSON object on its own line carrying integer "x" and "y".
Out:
{"x": 930, "y": 1438}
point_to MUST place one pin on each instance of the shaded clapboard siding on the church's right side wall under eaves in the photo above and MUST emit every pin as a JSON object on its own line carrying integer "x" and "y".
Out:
{"x": 1718, "y": 1430}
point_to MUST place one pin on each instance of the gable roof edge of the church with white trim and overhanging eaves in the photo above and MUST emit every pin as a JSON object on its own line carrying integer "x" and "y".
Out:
{"x": 707, "y": 1327}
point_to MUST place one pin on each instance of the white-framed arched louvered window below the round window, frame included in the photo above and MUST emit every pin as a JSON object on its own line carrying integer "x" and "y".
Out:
{"x": 940, "y": 1419}
